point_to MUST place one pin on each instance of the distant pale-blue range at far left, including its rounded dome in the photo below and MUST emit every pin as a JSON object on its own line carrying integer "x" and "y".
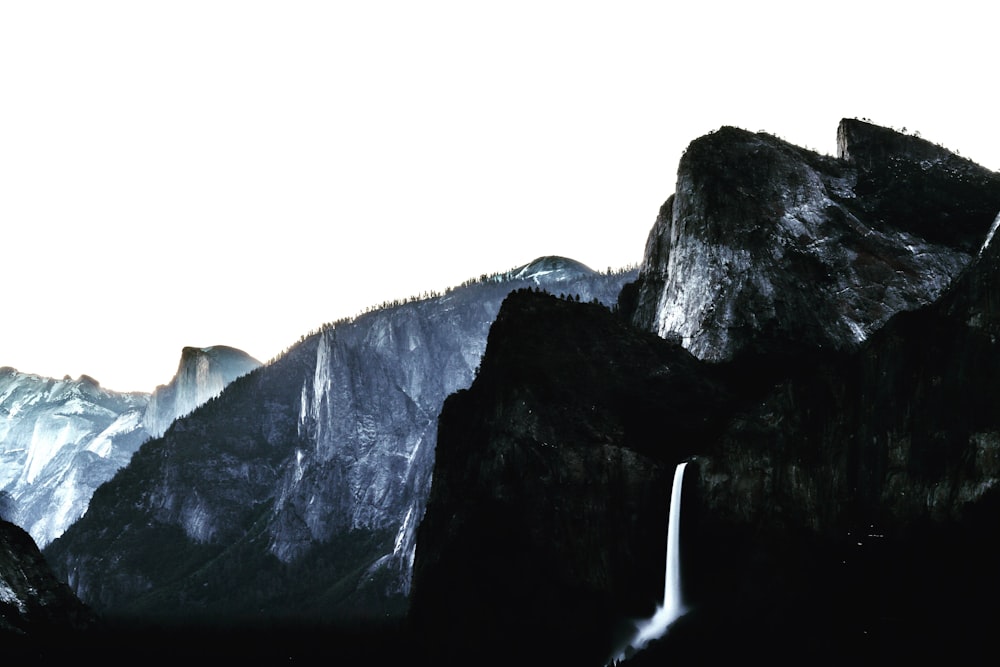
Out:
{"x": 61, "y": 439}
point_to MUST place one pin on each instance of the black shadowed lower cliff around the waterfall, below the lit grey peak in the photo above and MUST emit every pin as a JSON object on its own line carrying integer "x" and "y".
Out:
{"x": 835, "y": 507}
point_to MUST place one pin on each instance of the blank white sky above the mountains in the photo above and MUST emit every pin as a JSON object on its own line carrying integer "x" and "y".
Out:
{"x": 198, "y": 173}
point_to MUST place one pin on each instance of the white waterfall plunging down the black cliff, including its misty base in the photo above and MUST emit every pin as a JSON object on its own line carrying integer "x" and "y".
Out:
{"x": 672, "y": 606}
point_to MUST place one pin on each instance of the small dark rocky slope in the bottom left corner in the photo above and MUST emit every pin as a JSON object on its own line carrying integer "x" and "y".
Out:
{"x": 37, "y": 611}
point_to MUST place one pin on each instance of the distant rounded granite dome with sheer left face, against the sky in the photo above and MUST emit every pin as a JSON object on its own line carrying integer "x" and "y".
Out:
{"x": 202, "y": 374}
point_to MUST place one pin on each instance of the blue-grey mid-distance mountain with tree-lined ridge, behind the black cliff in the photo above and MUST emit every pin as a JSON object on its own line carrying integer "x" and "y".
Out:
{"x": 297, "y": 492}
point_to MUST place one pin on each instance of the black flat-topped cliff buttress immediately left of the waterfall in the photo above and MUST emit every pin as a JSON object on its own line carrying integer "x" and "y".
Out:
{"x": 551, "y": 470}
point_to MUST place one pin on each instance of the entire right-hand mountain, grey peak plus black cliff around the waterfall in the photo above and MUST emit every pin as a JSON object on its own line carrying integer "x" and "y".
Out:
{"x": 817, "y": 338}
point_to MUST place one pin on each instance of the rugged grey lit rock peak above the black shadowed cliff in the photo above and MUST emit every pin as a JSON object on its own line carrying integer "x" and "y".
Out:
{"x": 766, "y": 246}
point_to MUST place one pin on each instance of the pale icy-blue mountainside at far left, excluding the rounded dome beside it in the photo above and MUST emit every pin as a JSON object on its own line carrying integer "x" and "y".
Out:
{"x": 59, "y": 440}
